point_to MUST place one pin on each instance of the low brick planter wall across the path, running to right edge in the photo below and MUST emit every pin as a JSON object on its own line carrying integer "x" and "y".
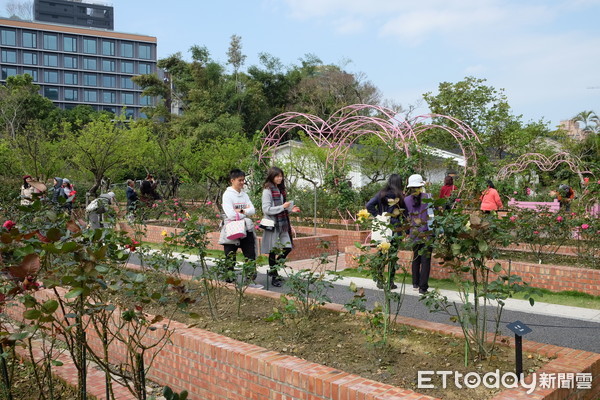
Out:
{"x": 552, "y": 277}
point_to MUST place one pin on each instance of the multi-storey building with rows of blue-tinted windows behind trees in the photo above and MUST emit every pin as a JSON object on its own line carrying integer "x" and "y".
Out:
{"x": 76, "y": 65}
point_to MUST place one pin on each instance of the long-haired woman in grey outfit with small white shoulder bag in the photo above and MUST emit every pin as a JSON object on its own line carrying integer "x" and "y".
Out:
{"x": 277, "y": 237}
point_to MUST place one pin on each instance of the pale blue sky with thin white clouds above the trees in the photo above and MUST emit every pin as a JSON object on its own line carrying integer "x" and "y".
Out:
{"x": 543, "y": 53}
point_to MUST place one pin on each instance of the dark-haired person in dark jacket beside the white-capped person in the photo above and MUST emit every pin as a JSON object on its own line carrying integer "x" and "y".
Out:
{"x": 384, "y": 203}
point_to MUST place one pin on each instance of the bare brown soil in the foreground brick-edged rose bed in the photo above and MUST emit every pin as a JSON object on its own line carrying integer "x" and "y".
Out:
{"x": 341, "y": 341}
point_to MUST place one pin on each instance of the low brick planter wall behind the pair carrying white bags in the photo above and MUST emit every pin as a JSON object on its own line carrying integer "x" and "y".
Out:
{"x": 304, "y": 247}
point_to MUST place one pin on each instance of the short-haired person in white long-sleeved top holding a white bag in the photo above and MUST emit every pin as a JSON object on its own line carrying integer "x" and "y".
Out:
{"x": 237, "y": 231}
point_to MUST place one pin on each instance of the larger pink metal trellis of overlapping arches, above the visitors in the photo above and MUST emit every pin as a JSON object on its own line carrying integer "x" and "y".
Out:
{"x": 344, "y": 127}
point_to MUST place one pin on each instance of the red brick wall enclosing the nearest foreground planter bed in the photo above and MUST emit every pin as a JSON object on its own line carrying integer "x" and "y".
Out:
{"x": 211, "y": 366}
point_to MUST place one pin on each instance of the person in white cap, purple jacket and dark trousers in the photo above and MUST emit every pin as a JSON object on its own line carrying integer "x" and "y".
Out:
{"x": 420, "y": 216}
